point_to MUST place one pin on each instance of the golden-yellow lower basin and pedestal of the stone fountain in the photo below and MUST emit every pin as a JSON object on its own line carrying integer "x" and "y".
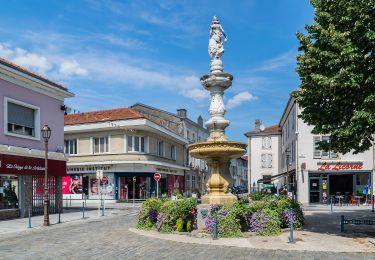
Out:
{"x": 218, "y": 155}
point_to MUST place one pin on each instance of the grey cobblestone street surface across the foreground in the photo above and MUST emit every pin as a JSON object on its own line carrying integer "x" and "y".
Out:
{"x": 109, "y": 238}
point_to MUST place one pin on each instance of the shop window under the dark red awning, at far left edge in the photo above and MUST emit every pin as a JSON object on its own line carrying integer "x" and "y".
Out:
{"x": 8, "y": 192}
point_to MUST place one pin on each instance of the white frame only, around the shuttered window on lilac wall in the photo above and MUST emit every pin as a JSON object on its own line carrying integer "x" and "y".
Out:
{"x": 36, "y": 119}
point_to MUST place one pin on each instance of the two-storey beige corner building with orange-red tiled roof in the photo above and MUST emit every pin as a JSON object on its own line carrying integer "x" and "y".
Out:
{"x": 129, "y": 148}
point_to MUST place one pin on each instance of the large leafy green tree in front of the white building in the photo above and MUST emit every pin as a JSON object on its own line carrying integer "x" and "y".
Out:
{"x": 336, "y": 68}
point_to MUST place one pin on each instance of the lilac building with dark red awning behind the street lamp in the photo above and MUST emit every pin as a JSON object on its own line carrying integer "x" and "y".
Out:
{"x": 28, "y": 101}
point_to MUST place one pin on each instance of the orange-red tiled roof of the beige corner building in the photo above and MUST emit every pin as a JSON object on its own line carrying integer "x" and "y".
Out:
{"x": 102, "y": 116}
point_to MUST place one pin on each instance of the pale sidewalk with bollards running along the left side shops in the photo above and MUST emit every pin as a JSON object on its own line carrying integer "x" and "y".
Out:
{"x": 70, "y": 215}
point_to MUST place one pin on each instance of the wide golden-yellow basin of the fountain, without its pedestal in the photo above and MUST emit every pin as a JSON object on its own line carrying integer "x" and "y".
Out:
{"x": 217, "y": 149}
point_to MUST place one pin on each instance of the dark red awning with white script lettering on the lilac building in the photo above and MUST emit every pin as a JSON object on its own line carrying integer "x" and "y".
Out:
{"x": 22, "y": 165}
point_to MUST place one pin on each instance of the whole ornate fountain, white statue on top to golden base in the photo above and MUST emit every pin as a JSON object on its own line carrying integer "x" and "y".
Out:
{"x": 217, "y": 150}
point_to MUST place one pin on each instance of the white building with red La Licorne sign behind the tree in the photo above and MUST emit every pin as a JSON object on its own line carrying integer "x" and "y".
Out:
{"x": 313, "y": 174}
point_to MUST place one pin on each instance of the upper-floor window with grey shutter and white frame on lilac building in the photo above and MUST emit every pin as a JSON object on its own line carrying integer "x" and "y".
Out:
{"x": 21, "y": 119}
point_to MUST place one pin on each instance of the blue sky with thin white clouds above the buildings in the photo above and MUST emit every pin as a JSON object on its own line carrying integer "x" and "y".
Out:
{"x": 116, "y": 53}
